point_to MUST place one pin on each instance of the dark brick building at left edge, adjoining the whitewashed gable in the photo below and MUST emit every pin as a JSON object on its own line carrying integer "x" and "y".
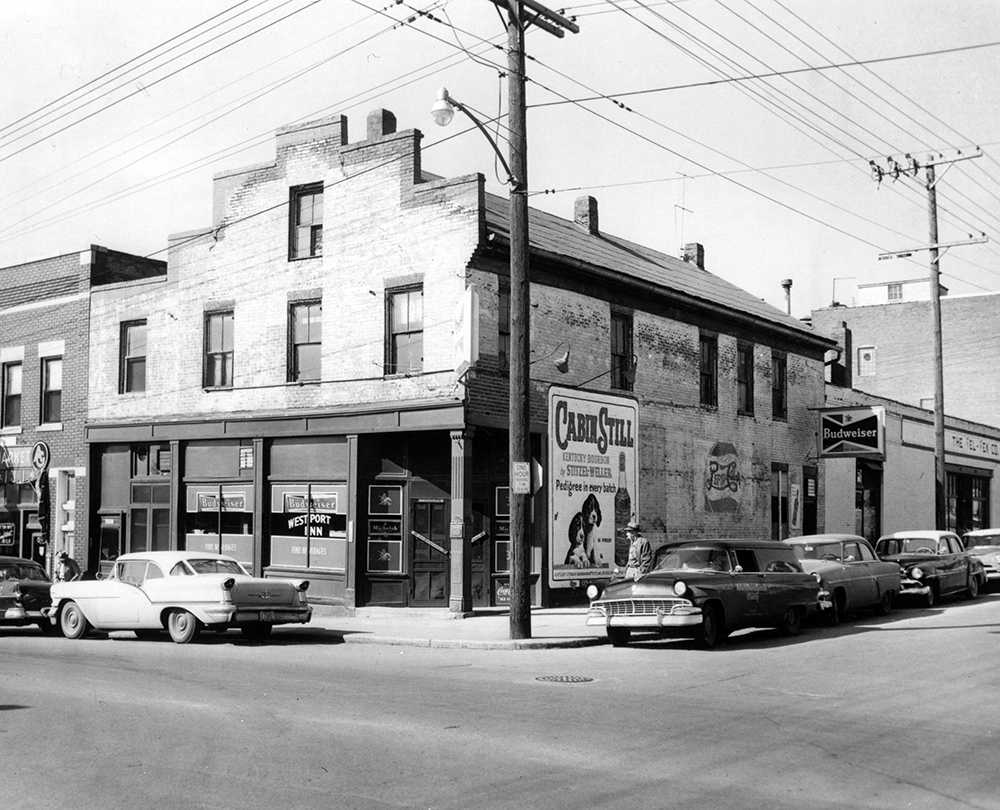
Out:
{"x": 44, "y": 357}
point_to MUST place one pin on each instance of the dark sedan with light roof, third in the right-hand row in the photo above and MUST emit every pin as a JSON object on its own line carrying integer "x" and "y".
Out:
{"x": 932, "y": 564}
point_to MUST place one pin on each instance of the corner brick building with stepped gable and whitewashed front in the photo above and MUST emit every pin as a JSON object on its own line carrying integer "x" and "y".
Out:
{"x": 304, "y": 411}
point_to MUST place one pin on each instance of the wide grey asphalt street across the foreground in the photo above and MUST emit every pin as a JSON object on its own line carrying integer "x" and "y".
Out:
{"x": 890, "y": 712}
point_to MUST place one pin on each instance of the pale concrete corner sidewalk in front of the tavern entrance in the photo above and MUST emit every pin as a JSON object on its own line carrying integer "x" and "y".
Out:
{"x": 483, "y": 630}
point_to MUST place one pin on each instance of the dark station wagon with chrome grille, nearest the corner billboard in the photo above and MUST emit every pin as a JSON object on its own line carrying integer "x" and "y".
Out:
{"x": 706, "y": 589}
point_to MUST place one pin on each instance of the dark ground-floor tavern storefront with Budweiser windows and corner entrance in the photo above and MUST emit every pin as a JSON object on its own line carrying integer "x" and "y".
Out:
{"x": 415, "y": 518}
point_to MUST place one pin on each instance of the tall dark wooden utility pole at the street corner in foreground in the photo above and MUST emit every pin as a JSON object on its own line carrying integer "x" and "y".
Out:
{"x": 521, "y": 14}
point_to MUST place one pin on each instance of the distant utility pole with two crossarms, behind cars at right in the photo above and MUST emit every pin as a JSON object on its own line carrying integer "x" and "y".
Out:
{"x": 896, "y": 171}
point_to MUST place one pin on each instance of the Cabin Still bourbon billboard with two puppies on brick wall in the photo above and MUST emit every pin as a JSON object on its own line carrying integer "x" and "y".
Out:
{"x": 593, "y": 482}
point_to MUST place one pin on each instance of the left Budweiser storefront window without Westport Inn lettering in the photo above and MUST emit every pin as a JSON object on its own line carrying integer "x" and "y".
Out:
{"x": 220, "y": 520}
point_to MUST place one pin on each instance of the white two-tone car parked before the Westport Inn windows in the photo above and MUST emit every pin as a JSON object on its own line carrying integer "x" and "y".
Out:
{"x": 180, "y": 592}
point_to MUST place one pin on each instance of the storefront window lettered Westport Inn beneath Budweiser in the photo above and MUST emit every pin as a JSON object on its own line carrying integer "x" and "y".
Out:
{"x": 309, "y": 526}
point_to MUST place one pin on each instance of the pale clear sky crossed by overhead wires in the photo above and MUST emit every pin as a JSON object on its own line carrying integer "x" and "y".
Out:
{"x": 748, "y": 127}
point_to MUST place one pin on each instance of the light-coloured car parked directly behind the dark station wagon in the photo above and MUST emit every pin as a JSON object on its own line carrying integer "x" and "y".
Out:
{"x": 850, "y": 572}
